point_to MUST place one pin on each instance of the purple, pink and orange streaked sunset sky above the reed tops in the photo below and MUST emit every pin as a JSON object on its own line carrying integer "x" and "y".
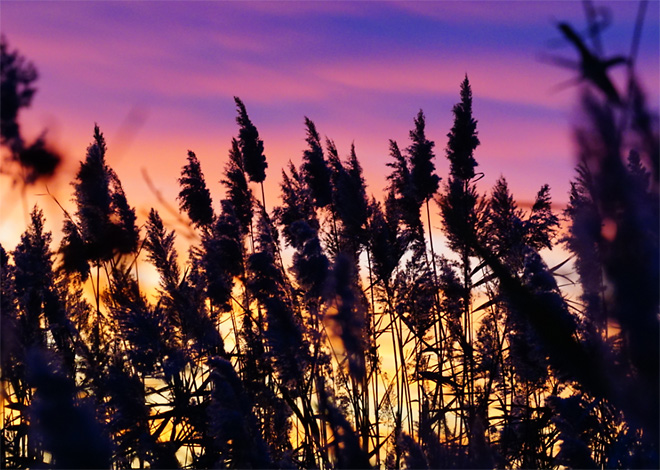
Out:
{"x": 159, "y": 78}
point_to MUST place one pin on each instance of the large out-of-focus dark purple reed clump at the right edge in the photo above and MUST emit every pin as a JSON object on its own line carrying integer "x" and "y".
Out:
{"x": 627, "y": 246}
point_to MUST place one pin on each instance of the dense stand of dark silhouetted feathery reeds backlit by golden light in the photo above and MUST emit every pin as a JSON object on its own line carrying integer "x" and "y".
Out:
{"x": 360, "y": 346}
